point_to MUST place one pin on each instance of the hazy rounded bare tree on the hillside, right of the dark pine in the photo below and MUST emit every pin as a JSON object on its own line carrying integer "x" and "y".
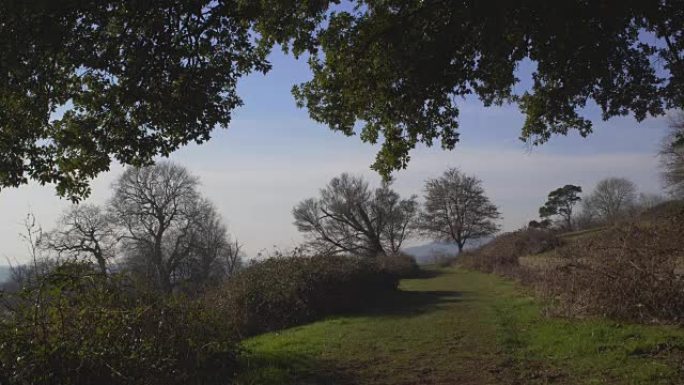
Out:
{"x": 612, "y": 199}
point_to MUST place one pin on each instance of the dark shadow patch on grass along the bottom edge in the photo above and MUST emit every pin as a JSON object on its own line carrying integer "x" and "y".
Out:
{"x": 290, "y": 368}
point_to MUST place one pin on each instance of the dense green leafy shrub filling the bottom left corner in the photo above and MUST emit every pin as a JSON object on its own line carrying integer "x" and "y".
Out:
{"x": 77, "y": 327}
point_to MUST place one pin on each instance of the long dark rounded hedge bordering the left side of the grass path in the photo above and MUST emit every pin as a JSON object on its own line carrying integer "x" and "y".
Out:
{"x": 281, "y": 292}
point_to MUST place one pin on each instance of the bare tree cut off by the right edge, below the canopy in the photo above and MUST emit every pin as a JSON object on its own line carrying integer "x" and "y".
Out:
{"x": 672, "y": 157}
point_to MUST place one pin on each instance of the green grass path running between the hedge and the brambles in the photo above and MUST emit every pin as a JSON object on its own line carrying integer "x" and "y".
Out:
{"x": 460, "y": 327}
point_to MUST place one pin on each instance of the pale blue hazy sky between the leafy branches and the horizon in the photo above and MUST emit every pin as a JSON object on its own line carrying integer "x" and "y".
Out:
{"x": 272, "y": 156}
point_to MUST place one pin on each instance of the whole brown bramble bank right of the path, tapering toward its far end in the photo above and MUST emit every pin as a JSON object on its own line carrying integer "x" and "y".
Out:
{"x": 631, "y": 271}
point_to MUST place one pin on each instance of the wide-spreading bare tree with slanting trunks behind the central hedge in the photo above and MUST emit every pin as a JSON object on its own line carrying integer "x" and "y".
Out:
{"x": 351, "y": 218}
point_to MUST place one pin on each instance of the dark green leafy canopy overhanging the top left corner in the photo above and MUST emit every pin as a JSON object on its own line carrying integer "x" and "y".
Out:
{"x": 82, "y": 83}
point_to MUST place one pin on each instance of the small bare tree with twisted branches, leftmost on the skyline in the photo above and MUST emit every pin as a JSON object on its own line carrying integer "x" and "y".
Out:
{"x": 83, "y": 232}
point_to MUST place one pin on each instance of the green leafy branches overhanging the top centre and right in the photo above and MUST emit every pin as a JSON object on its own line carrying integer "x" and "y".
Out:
{"x": 400, "y": 66}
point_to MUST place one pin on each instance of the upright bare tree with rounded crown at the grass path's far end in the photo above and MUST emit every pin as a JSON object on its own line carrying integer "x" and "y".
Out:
{"x": 457, "y": 210}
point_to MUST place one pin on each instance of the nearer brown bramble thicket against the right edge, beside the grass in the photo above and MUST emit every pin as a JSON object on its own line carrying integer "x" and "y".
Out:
{"x": 630, "y": 272}
